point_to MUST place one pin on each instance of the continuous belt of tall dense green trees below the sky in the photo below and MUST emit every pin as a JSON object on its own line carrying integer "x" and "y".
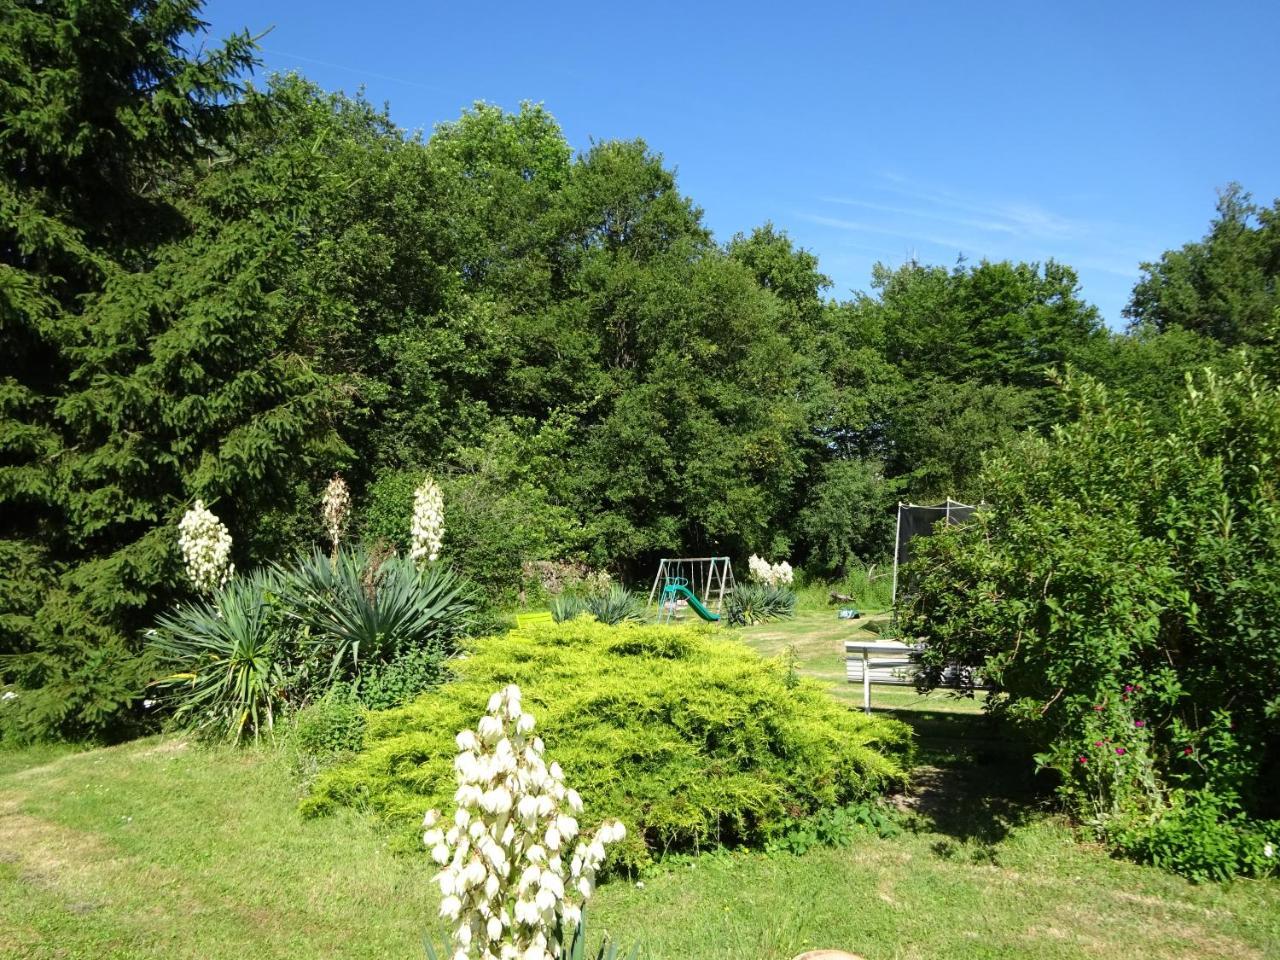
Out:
{"x": 228, "y": 294}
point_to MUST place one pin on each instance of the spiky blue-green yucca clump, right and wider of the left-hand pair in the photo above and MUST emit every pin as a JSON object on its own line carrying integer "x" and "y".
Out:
{"x": 358, "y": 610}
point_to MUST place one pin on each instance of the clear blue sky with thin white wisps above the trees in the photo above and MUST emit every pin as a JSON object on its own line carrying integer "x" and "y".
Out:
{"x": 1091, "y": 132}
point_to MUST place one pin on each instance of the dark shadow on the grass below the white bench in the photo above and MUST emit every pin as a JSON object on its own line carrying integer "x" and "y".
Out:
{"x": 975, "y": 783}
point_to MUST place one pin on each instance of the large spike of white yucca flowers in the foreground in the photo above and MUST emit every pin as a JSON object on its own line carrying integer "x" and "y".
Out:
{"x": 509, "y": 876}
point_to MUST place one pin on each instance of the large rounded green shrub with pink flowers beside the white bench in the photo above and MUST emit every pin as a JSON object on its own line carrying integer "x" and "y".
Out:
{"x": 1123, "y": 591}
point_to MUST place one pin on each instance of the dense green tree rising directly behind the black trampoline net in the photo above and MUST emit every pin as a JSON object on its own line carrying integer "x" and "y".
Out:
{"x": 971, "y": 353}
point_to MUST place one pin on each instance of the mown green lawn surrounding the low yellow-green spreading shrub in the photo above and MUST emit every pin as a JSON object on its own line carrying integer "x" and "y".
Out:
{"x": 167, "y": 849}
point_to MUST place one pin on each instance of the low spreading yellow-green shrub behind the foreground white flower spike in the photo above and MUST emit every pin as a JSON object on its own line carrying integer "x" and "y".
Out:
{"x": 689, "y": 739}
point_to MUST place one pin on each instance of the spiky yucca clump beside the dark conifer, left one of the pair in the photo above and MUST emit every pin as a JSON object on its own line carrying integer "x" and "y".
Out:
{"x": 226, "y": 656}
